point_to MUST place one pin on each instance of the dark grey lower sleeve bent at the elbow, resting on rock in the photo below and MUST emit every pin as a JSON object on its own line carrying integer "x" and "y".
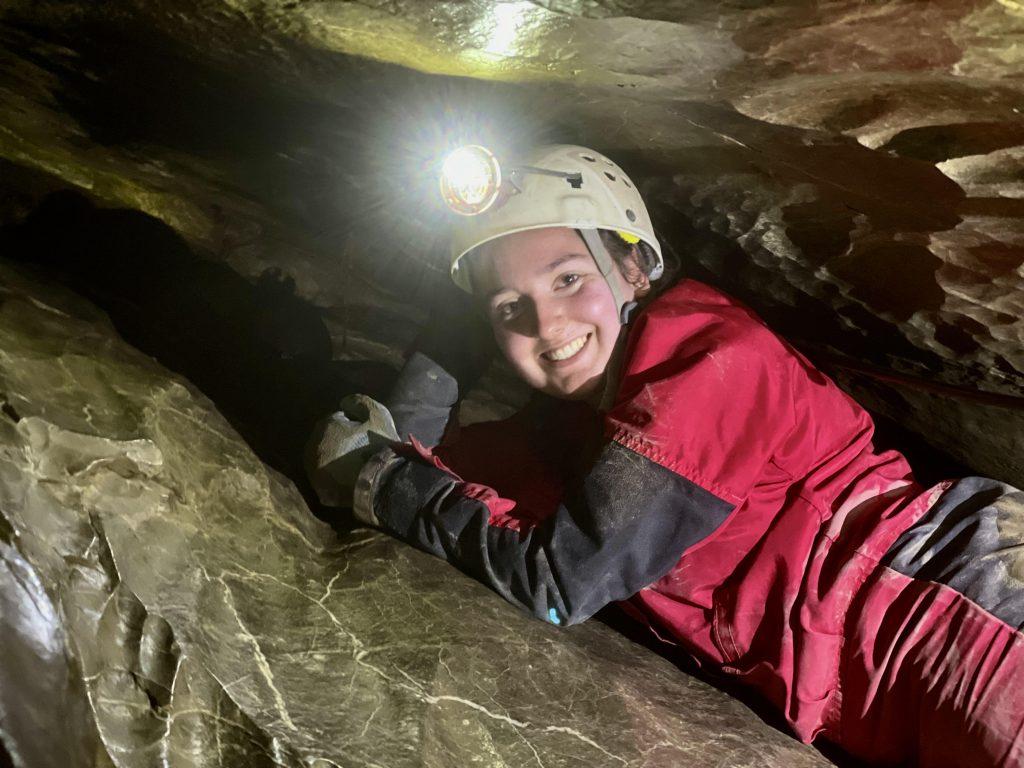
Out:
{"x": 620, "y": 531}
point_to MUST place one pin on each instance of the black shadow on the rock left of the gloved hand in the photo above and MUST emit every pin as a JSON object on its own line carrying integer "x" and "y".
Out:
{"x": 263, "y": 355}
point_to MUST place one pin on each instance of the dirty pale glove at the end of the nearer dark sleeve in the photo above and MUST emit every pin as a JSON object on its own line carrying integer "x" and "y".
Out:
{"x": 343, "y": 444}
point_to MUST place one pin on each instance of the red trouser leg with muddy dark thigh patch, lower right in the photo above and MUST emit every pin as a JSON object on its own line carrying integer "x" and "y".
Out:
{"x": 933, "y": 644}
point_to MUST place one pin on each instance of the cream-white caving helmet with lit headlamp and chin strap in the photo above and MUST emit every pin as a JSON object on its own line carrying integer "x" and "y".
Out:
{"x": 553, "y": 186}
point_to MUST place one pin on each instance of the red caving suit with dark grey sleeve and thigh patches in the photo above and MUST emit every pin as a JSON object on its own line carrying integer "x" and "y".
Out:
{"x": 733, "y": 498}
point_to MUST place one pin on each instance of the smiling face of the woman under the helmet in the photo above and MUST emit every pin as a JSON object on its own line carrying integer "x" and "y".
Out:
{"x": 551, "y": 311}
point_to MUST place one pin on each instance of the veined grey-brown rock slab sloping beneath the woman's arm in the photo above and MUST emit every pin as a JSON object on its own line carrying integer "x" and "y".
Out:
{"x": 167, "y": 601}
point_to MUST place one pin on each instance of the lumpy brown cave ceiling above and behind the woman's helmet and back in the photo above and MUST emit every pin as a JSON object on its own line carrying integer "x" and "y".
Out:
{"x": 855, "y": 170}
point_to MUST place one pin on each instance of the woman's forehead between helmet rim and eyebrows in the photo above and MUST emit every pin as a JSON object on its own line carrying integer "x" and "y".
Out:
{"x": 518, "y": 260}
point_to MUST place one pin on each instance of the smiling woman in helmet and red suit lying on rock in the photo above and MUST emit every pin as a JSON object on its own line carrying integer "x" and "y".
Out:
{"x": 702, "y": 472}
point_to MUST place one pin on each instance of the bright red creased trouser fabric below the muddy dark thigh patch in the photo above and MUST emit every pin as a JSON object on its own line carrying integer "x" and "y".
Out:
{"x": 929, "y": 677}
